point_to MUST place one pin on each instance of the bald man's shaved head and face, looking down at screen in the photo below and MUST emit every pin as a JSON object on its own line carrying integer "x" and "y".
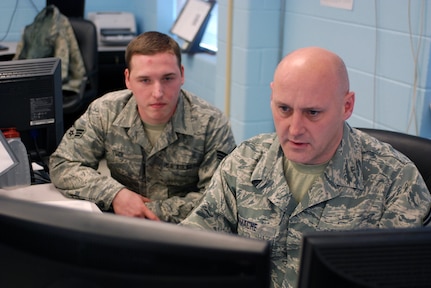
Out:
{"x": 310, "y": 101}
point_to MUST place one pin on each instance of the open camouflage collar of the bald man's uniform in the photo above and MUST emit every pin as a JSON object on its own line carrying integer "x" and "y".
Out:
{"x": 343, "y": 170}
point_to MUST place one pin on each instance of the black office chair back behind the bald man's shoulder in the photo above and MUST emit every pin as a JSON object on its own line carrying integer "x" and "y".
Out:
{"x": 416, "y": 148}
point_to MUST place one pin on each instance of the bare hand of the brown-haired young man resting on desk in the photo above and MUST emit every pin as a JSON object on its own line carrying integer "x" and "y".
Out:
{"x": 129, "y": 203}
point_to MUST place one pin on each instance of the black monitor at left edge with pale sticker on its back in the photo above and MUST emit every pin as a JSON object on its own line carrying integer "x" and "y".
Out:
{"x": 31, "y": 100}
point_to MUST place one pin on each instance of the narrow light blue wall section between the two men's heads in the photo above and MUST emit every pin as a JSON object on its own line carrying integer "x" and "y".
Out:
{"x": 254, "y": 50}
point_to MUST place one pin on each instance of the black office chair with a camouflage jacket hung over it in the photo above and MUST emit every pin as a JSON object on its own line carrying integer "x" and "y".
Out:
{"x": 86, "y": 35}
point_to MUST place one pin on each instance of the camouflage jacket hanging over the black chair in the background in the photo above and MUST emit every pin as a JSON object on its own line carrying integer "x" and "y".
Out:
{"x": 51, "y": 35}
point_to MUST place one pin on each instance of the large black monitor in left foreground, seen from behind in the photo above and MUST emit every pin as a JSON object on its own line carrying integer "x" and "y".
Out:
{"x": 47, "y": 246}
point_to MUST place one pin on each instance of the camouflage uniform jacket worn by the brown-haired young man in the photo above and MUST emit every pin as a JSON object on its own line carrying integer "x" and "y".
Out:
{"x": 182, "y": 161}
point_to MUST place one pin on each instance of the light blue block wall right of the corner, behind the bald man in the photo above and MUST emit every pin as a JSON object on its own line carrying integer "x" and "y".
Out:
{"x": 374, "y": 39}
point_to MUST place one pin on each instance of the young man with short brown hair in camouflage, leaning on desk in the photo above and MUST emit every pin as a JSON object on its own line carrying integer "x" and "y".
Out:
{"x": 161, "y": 143}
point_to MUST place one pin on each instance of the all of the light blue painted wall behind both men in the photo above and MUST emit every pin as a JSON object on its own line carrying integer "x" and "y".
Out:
{"x": 374, "y": 39}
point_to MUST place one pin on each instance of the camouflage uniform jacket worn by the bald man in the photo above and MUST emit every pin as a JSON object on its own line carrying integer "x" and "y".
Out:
{"x": 367, "y": 184}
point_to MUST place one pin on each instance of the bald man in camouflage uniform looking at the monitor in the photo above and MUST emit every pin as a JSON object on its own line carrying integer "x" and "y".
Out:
{"x": 314, "y": 173}
